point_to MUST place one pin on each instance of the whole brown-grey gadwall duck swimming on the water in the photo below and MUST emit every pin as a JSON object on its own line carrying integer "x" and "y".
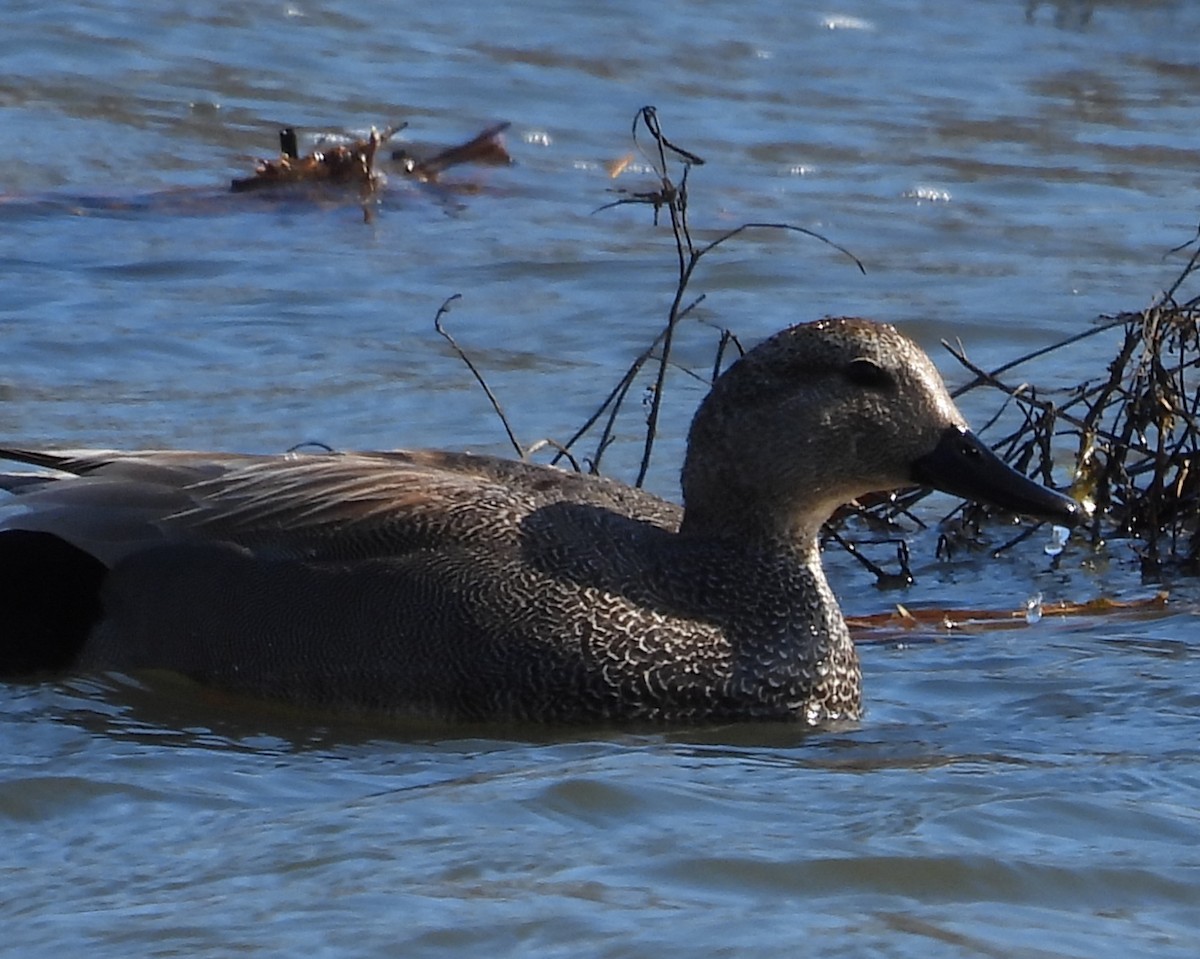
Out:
{"x": 470, "y": 588}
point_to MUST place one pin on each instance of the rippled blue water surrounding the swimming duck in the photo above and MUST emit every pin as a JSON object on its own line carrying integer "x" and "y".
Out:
{"x": 1006, "y": 172}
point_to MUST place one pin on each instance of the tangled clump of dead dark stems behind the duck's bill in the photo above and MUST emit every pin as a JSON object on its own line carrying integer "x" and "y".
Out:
{"x": 1132, "y": 436}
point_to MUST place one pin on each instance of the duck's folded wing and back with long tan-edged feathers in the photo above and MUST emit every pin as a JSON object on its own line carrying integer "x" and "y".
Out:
{"x": 327, "y": 506}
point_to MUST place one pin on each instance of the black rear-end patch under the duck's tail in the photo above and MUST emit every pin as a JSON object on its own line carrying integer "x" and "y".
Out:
{"x": 50, "y": 600}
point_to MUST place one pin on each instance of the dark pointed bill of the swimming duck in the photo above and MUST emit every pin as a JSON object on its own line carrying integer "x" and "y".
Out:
{"x": 965, "y": 466}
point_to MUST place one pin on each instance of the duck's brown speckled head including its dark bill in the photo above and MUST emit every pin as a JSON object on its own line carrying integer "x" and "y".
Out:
{"x": 825, "y": 412}
